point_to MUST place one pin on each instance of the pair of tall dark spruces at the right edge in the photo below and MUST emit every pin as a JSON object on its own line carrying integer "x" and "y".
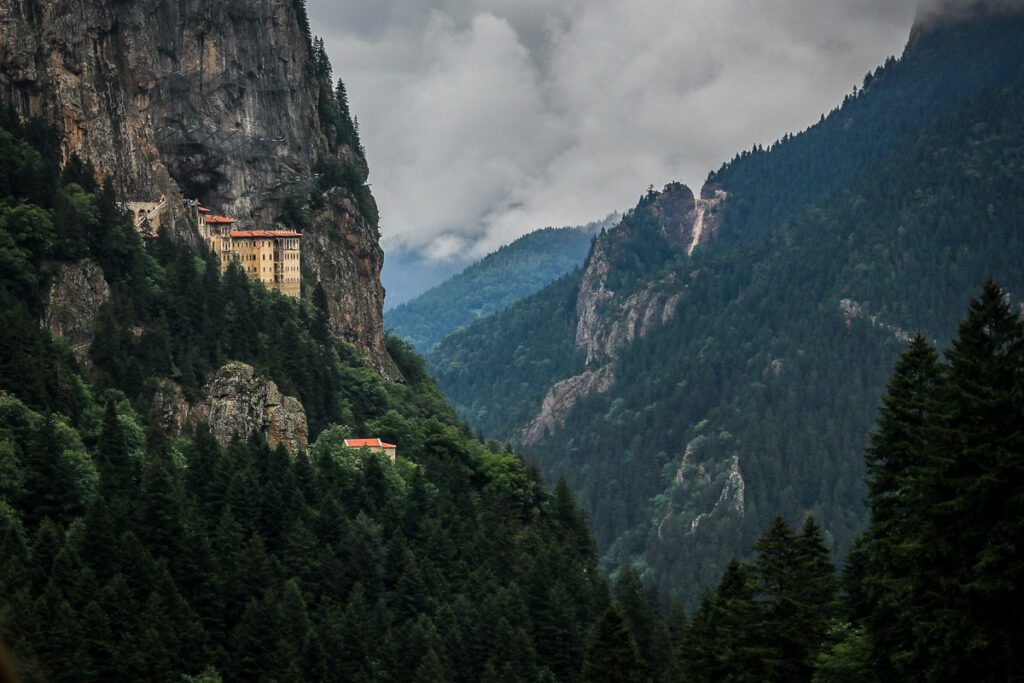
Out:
{"x": 942, "y": 566}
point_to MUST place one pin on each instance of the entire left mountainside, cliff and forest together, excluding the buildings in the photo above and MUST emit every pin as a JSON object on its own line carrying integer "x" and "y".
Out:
{"x": 140, "y": 538}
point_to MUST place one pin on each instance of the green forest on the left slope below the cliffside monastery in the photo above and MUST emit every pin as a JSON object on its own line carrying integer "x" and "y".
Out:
{"x": 129, "y": 553}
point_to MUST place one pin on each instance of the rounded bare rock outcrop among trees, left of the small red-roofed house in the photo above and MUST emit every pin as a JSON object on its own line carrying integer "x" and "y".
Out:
{"x": 240, "y": 401}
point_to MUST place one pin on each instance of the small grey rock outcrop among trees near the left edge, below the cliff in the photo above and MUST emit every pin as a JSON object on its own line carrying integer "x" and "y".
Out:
{"x": 76, "y": 295}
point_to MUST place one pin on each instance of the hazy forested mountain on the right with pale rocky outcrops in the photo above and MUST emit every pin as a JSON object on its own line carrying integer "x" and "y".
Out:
{"x": 691, "y": 383}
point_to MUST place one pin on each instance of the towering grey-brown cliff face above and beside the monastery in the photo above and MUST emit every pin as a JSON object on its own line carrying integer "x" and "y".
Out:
{"x": 200, "y": 99}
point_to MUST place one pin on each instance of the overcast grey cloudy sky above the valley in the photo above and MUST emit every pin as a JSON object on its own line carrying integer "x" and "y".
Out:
{"x": 486, "y": 119}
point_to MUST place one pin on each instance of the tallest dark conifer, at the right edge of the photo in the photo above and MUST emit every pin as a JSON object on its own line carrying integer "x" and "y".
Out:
{"x": 971, "y": 567}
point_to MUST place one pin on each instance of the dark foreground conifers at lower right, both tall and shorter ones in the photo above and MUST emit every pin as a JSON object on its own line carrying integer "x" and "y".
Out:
{"x": 932, "y": 590}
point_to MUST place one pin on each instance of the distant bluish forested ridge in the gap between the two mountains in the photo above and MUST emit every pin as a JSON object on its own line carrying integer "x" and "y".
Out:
{"x": 499, "y": 280}
